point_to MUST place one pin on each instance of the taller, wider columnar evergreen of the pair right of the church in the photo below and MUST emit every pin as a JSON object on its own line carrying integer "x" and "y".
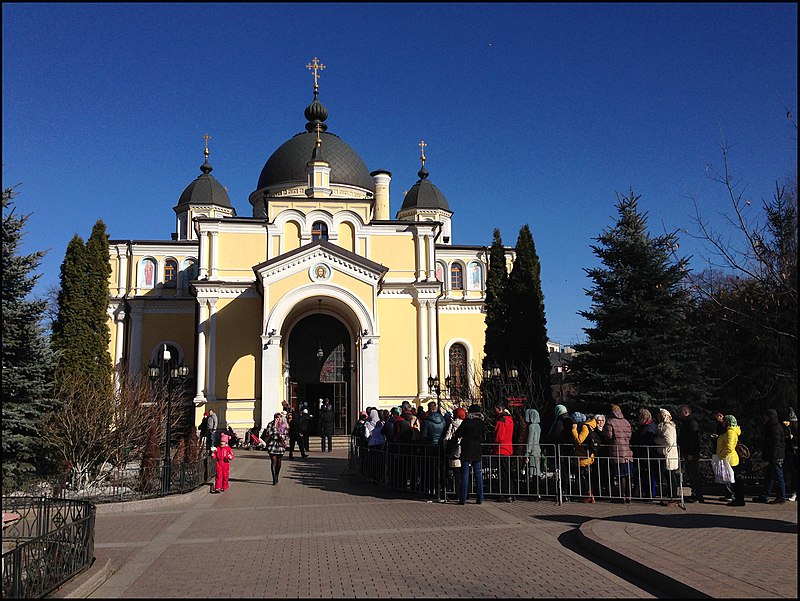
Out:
{"x": 526, "y": 337}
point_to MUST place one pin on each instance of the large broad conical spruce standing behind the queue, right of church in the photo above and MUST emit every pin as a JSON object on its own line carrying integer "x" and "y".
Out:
{"x": 639, "y": 351}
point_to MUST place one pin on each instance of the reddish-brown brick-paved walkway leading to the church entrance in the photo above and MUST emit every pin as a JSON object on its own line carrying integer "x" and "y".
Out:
{"x": 324, "y": 533}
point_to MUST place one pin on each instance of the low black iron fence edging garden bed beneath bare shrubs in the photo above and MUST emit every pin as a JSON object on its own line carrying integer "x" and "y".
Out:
{"x": 131, "y": 482}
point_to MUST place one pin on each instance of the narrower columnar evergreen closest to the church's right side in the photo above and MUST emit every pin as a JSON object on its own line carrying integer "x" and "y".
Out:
{"x": 495, "y": 347}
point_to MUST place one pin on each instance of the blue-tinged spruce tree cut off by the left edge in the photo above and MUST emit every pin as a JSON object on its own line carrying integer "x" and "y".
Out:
{"x": 27, "y": 359}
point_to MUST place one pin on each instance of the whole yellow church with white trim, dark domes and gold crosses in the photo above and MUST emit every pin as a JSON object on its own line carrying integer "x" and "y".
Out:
{"x": 318, "y": 293}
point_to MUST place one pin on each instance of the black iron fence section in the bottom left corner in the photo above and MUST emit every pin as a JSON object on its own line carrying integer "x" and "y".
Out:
{"x": 46, "y": 542}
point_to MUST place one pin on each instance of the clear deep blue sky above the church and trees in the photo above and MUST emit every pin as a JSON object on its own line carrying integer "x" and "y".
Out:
{"x": 533, "y": 113}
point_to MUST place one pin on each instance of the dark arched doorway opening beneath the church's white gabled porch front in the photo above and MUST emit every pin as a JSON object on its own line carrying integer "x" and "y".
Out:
{"x": 320, "y": 366}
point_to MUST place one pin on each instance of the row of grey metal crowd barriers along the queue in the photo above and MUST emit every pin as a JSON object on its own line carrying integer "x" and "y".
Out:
{"x": 551, "y": 471}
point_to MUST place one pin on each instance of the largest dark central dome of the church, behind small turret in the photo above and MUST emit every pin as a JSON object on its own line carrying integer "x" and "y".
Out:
{"x": 289, "y": 162}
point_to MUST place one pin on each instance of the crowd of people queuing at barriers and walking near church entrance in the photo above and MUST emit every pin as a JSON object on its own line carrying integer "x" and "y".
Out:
{"x": 600, "y": 455}
